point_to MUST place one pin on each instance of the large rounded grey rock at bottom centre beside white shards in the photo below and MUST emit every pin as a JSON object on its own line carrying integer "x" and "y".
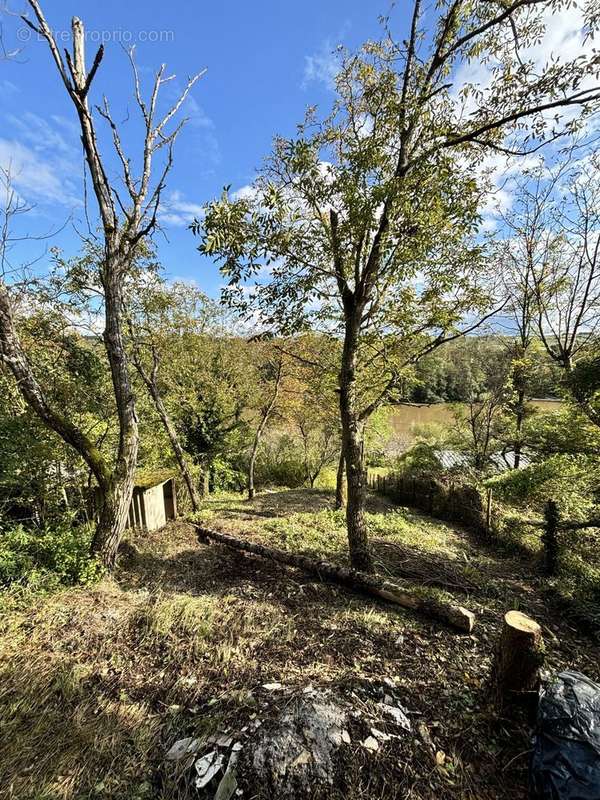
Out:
{"x": 297, "y": 754}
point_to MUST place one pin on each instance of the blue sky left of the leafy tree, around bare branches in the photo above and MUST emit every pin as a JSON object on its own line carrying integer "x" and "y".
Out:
{"x": 266, "y": 61}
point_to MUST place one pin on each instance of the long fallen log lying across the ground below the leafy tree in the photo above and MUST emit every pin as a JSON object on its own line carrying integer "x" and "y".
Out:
{"x": 456, "y": 616}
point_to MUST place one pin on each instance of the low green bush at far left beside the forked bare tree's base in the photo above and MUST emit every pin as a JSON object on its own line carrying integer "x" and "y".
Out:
{"x": 46, "y": 558}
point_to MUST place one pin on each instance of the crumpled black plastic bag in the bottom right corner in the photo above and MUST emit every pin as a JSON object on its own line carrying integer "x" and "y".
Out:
{"x": 565, "y": 764}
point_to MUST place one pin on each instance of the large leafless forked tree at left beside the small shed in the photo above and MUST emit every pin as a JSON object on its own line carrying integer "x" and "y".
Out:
{"x": 125, "y": 223}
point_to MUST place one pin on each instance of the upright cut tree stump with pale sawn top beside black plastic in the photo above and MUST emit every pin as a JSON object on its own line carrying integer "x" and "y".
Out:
{"x": 519, "y": 656}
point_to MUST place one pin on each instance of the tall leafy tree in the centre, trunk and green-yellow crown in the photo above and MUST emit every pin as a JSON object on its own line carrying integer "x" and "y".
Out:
{"x": 364, "y": 221}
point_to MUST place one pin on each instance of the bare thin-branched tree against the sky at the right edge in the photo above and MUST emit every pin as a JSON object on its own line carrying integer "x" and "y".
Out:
{"x": 554, "y": 242}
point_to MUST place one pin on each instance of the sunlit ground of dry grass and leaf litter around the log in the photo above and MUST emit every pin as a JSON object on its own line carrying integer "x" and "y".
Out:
{"x": 97, "y": 683}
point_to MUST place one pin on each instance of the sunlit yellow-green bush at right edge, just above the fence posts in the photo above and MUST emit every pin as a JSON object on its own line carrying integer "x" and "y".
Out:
{"x": 572, "y": 481}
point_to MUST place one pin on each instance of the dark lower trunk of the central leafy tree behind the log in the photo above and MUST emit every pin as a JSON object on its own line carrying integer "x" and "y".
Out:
{"x": 352, "y": 444}
